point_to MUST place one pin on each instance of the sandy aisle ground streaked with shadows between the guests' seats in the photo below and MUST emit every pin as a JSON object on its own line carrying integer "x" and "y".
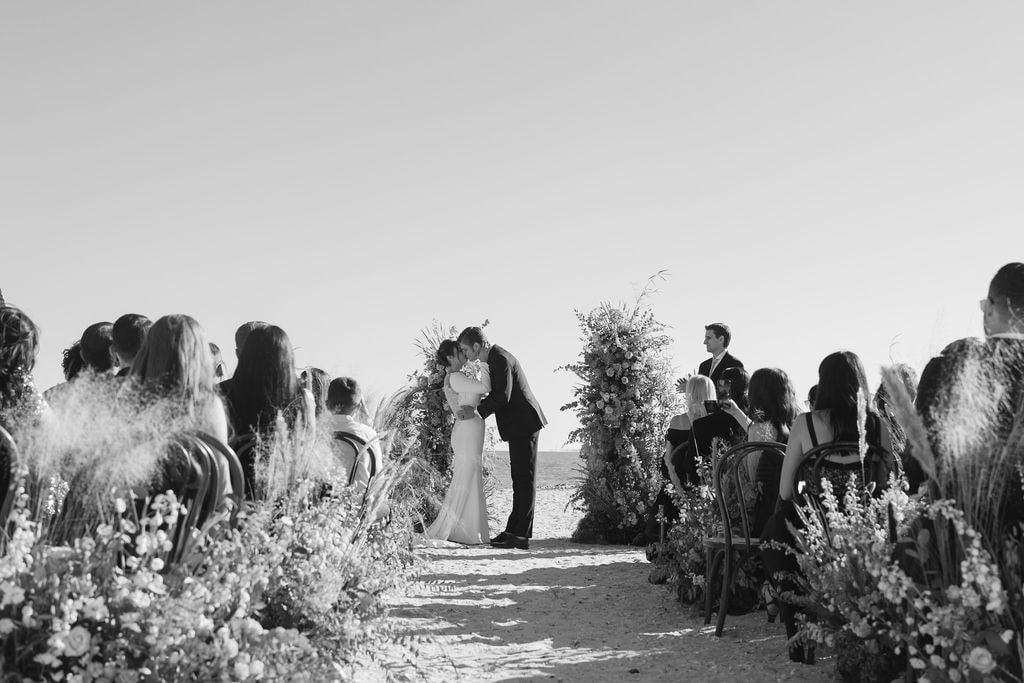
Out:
{"x": 566, "y": 612}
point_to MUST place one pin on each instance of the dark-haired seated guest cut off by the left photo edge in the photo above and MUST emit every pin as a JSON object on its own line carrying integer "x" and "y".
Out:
{"x": 20, "y": 403}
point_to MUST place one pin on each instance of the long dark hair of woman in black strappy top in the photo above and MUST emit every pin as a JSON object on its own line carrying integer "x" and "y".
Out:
{"x": 841, "y": 380}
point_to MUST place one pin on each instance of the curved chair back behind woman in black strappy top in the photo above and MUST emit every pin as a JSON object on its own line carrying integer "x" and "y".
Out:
{"x": 819, "y": 462}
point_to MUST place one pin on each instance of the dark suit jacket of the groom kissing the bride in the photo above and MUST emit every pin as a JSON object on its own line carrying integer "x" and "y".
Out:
{"x": 511, "y": 401}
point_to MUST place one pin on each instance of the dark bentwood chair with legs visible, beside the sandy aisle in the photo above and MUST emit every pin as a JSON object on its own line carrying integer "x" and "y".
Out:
{"x": 736, "y": 496}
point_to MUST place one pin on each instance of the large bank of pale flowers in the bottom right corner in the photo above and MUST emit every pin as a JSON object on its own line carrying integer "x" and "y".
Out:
{"x": 933, "y": 602}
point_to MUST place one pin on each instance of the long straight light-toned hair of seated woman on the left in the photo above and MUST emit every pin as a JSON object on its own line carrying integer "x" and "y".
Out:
{"x": 176, "y": 360}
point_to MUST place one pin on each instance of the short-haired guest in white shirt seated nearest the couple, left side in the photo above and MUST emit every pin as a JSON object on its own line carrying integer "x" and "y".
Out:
{"x": 357, "y": 443}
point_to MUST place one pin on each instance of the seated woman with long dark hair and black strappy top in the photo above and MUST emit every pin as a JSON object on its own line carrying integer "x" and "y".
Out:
{"x": 842, "y": 381}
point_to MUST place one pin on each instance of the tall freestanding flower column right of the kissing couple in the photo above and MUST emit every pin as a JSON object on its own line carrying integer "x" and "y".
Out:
{"x": 624, "y": 402}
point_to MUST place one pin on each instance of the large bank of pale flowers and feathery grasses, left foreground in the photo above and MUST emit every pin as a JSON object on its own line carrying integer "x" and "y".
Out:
{"x": 293, "y": 587}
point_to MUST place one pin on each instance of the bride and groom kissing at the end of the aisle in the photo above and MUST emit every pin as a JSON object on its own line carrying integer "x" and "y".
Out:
{"x": 485, "y": 379}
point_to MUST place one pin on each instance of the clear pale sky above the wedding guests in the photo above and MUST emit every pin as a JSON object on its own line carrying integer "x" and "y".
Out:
{"x": 817, "y": 176}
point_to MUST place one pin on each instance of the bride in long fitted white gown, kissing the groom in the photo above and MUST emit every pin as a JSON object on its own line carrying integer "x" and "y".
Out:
{"x": 463, "y": 518}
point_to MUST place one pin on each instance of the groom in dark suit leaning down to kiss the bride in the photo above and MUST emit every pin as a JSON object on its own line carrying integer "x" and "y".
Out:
{"x": 520, "y": 421}
